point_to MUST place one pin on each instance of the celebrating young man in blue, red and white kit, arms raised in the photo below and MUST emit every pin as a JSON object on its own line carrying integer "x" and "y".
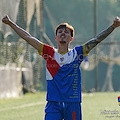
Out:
{"x": 63, "y": 68}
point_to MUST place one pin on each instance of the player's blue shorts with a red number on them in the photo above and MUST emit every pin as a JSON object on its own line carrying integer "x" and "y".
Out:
{"x": 63, "y": 111}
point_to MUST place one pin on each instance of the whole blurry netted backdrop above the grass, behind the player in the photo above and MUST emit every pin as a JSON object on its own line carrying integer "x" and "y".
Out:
{"x": 23, "y": 70}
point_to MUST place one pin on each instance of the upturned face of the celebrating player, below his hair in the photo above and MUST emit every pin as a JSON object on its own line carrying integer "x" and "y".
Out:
{"x": 63, "y": 36}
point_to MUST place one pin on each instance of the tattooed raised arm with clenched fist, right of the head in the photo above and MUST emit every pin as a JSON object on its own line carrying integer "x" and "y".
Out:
{"x": 100, "y": 37}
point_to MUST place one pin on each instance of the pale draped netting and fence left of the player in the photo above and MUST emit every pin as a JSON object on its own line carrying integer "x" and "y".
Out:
{"x": 16, "y": 53}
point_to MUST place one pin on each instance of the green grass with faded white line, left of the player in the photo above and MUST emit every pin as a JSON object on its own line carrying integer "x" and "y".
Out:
{"x": 27, "y": 107}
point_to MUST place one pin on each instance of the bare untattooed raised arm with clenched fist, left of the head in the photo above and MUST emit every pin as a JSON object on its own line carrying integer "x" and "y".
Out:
{"x": 22, "y": 33}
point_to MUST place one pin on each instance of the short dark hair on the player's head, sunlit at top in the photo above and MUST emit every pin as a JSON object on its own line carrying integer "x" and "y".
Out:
{"x": 65, "y": 25}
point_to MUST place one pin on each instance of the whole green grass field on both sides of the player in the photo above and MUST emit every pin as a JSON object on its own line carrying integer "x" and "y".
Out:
{"x": 95, "y": 106}
